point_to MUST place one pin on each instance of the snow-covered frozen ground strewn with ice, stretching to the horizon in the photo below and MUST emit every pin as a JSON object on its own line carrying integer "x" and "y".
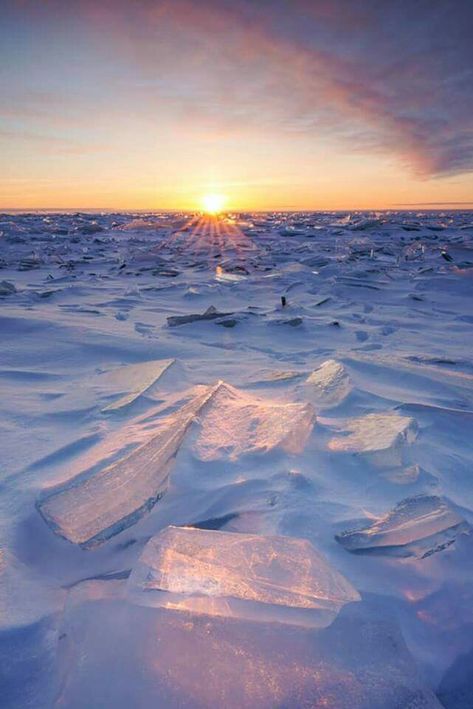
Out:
{"x": 154, "y": 379}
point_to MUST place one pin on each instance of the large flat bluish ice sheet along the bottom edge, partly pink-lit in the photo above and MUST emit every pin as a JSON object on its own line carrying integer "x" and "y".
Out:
{"x": 114, "y": 654}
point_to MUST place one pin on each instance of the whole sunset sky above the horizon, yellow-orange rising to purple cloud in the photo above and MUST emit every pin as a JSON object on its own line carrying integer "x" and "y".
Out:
{"x": 276, "y": 104}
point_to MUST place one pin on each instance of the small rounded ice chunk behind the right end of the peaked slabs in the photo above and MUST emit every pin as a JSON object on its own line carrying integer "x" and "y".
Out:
{"x": 328, "y": 385}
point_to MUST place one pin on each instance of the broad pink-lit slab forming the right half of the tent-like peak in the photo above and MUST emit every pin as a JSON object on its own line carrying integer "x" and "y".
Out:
{"x": 233, "y": 423}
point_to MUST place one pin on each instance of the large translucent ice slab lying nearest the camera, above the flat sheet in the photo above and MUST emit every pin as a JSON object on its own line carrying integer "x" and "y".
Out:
{"x": 218, "y": 573}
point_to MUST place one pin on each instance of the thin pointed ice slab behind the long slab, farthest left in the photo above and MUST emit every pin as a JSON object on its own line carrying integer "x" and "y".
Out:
{"x": 135, "y": 379}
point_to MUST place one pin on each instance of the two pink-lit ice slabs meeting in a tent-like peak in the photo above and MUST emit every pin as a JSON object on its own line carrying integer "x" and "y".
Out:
{"x": 94, "y": 506}
